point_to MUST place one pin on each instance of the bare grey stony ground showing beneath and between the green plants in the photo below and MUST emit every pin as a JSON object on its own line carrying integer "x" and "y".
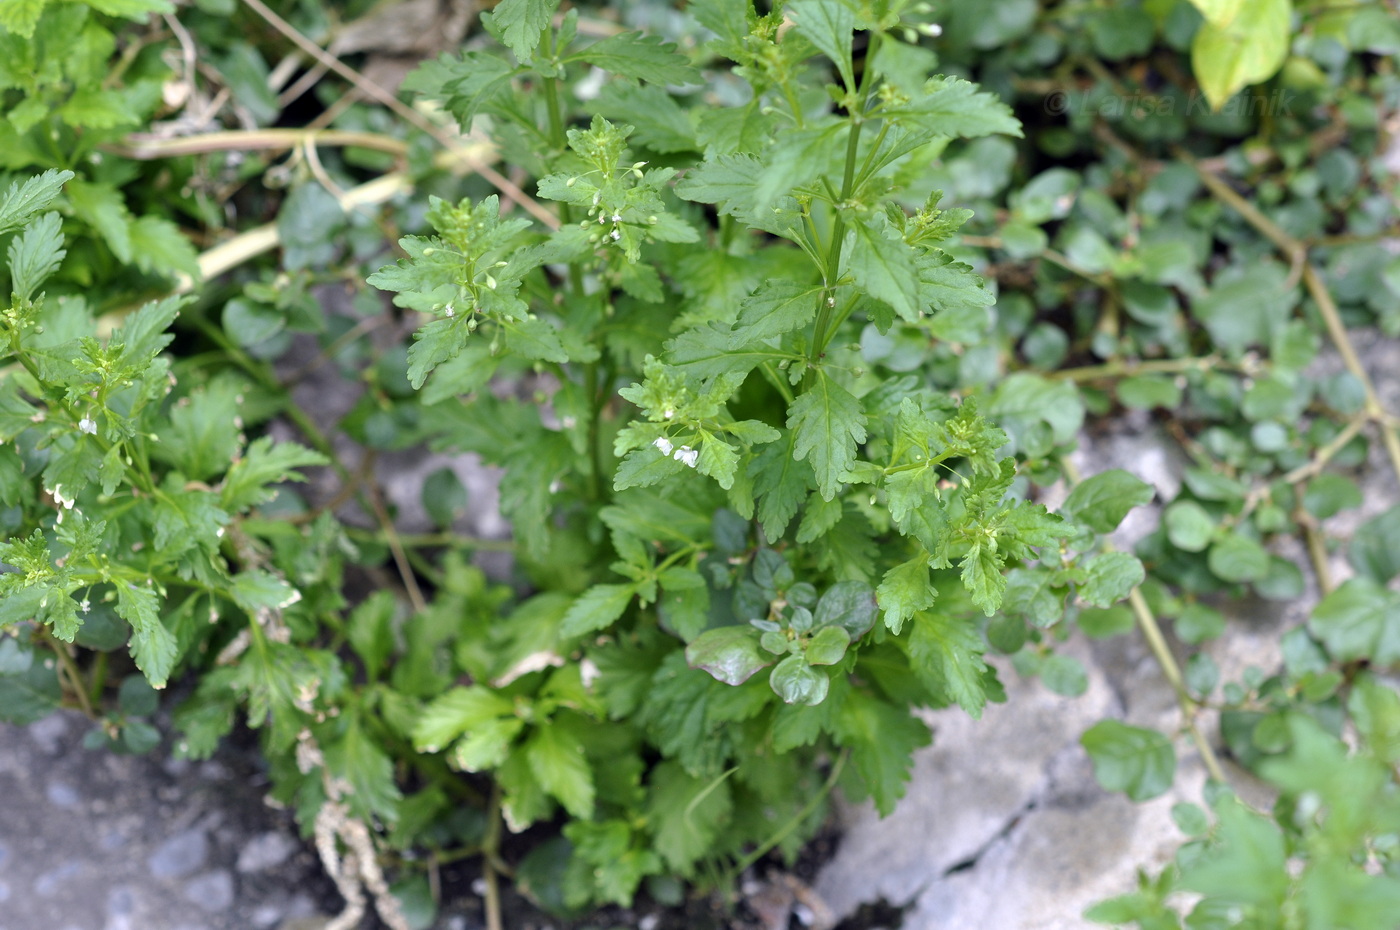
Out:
{"x": 1003, "y": 827}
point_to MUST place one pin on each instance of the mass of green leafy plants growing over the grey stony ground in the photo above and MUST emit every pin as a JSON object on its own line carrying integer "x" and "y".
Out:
{"x": 769, "y": 442}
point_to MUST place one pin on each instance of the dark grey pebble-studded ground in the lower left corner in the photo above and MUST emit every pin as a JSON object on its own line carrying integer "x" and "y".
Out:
{"x": 148, "y": 847}
